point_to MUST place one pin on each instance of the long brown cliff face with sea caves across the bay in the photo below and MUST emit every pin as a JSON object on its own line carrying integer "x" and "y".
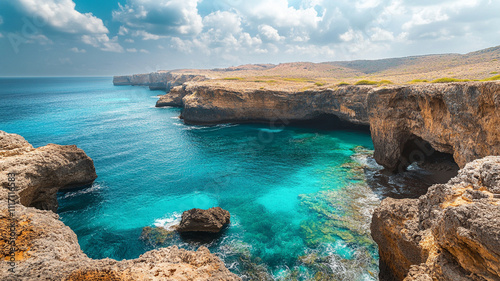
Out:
{"x": 407, "y": 123}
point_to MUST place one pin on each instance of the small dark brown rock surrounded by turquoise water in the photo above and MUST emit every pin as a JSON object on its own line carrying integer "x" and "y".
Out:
{"x": 199, "y": 220}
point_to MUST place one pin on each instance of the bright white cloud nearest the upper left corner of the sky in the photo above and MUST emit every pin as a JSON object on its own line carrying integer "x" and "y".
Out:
{"x": 61, "y": 15}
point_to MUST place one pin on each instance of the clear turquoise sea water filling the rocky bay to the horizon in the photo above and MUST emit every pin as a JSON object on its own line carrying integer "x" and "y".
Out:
{"x": 299, "y": 207}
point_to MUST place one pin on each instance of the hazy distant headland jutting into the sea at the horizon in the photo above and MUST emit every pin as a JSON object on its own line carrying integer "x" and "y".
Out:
{"x": 160, "y": 80}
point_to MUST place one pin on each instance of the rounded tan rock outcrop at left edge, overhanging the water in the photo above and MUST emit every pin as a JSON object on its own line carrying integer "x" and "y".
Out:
{"x": 41, "y": 172}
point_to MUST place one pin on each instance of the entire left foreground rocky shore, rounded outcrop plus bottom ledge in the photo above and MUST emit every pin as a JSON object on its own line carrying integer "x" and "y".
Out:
{"x": 41, "y": 247}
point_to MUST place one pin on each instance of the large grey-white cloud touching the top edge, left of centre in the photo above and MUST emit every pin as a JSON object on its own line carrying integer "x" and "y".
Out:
{"x": 161, "y": 17}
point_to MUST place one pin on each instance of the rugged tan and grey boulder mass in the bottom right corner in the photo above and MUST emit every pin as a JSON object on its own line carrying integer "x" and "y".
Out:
{"x": 451, "y": 233}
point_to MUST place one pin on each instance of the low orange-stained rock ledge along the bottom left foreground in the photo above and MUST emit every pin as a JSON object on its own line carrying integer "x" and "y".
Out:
{"x": 49, "y": 250}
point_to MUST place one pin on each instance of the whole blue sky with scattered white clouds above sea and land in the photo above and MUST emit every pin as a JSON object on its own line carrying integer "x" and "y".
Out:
{"x": 117, "y": 37}
